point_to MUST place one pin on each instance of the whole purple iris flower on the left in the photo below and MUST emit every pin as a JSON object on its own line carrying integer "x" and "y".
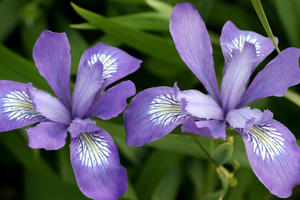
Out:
{"x": 94, "y": 155}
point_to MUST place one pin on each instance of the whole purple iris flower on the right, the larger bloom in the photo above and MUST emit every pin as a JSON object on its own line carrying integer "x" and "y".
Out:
{"x": 272, "y": 150}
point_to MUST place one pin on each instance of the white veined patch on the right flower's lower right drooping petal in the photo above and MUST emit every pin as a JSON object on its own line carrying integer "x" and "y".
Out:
{"x": 266, "y": 141}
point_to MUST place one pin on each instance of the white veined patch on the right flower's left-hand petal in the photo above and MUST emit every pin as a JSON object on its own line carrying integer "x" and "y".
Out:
{"x": 164, "y": 109}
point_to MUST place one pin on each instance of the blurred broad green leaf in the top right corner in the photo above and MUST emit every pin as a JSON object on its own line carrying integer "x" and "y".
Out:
{"x": 289, "y": 15}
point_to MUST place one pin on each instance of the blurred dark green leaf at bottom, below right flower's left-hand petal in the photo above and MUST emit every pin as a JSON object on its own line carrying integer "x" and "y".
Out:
{"x": 157, "y": 166}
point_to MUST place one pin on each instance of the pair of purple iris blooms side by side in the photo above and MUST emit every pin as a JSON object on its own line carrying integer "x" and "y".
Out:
{"x": 272, "y": 150}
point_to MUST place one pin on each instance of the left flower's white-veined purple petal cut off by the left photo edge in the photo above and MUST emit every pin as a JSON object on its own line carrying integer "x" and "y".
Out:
{"x": 16, "y": 108}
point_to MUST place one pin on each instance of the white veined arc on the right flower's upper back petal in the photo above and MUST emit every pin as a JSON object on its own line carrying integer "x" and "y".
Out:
{"x": 239, "y": 41}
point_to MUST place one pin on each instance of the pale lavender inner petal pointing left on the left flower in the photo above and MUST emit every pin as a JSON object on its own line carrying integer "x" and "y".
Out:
{"x": 49, "y": 106}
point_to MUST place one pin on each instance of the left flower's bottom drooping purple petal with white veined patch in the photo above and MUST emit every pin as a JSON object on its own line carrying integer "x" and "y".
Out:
{"x": 96, "y": 164}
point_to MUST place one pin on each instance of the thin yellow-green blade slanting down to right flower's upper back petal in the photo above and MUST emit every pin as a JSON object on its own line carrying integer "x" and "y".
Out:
{"x": 263, "y": 19}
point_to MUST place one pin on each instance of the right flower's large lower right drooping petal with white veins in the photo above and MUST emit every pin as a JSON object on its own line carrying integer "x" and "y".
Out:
{"x": 274, "y": 156}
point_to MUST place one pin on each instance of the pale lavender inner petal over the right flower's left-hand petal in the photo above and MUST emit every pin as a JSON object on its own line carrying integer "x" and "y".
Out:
{"x": 199, "y": 105}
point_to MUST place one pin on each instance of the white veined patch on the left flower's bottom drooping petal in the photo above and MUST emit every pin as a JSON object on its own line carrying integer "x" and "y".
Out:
{"x": 93, "y": 150}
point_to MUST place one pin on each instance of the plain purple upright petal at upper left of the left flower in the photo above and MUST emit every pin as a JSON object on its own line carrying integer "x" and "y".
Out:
{"x": 52, "y": 57}
